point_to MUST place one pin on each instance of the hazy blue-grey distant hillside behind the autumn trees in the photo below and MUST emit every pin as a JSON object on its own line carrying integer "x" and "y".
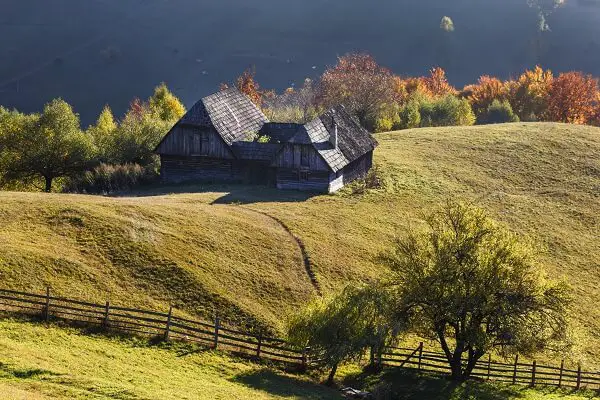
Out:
{"x": 96, "y": 52}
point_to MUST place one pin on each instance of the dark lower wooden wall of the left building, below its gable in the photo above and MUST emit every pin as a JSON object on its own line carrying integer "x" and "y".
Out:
{"x": 175, "y": 169}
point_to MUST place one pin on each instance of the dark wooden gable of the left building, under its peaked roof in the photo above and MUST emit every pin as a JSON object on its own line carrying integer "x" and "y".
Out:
{"x": 189, "y": 140}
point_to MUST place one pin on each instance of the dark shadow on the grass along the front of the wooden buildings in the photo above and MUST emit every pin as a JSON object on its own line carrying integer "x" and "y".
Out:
{"x": 235, "y": 193}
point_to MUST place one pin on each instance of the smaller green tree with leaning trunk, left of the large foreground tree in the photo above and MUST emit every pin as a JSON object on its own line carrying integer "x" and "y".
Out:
{"x": 342, "y": 327}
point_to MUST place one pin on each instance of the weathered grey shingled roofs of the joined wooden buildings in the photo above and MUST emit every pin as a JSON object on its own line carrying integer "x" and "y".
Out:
{"x": 234, "y": 116}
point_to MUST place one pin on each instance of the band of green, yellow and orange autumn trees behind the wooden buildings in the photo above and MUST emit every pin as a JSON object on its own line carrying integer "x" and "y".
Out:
{"x": 50, "y": 150}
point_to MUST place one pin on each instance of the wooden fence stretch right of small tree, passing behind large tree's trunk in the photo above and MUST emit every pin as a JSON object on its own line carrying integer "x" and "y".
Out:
{"x": 531, "y": 374}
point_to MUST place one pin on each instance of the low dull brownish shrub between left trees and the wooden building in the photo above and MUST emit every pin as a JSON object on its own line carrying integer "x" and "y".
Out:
{"x": 107, "y": 178}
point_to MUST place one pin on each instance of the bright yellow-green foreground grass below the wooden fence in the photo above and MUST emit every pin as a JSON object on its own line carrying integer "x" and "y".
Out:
{"x": 39, "y": 363}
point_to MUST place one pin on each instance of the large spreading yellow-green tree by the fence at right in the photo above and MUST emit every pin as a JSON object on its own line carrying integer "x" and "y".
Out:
{"x": 471, "y": 285}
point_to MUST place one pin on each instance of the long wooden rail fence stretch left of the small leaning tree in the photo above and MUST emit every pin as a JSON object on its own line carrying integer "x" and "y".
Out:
{"x": 155, "y": 324}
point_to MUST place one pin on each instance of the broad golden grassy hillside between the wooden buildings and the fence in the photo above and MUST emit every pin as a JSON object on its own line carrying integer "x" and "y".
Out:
{"x": 234, "y": 248}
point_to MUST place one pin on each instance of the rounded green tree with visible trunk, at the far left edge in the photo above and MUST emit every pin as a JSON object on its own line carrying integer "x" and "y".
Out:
{"x": 49, "y": 146}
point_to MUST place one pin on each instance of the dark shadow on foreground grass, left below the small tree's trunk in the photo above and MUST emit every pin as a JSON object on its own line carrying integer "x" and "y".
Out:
{"x": 285, "y": 386}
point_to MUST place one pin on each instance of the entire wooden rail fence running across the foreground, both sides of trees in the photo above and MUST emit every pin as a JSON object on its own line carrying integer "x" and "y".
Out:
{"x": 217, "y": 336}
